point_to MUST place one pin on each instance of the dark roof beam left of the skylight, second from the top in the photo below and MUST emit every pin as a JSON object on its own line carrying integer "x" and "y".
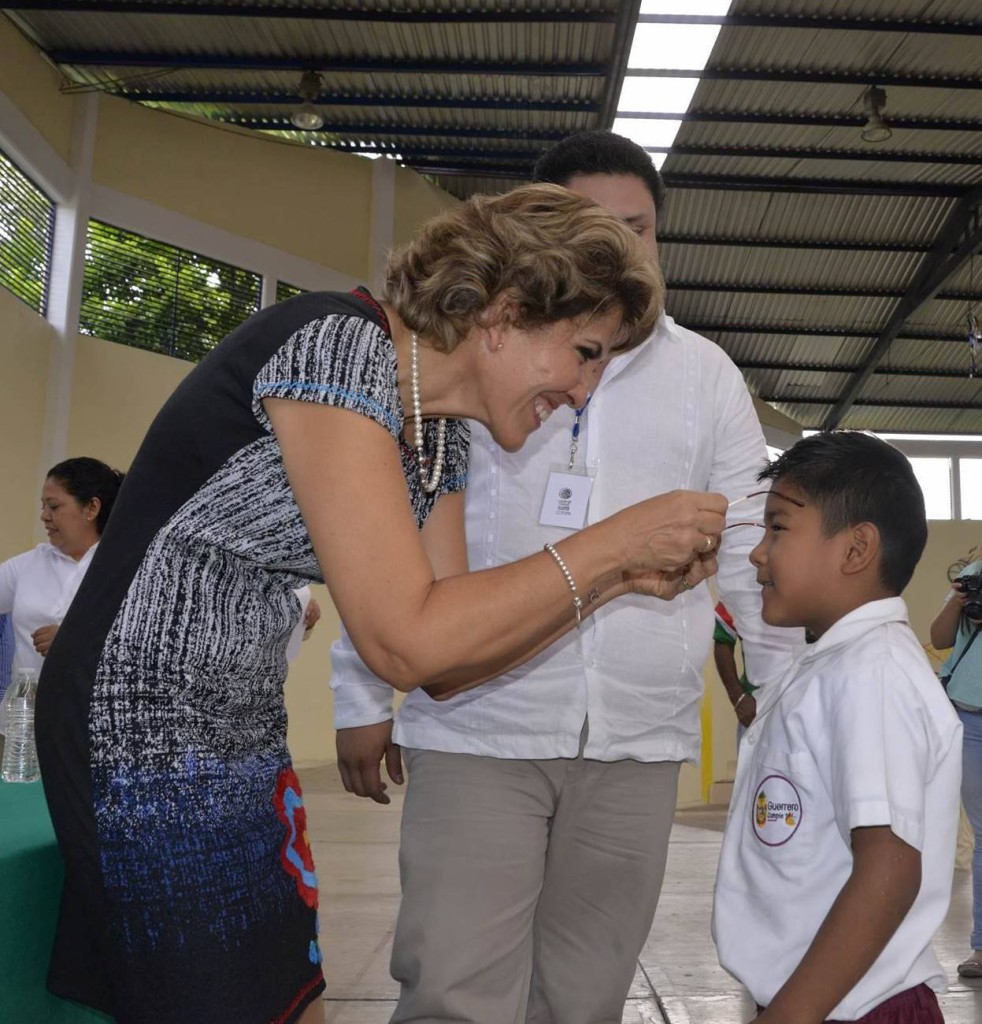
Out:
{"x": 324, "y": 63}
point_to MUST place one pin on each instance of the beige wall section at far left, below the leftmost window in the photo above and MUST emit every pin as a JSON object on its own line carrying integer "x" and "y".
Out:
{"x": 26, "y": 344}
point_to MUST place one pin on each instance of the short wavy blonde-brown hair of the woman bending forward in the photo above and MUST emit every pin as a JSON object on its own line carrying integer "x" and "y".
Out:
{"x": 558, "y": 255}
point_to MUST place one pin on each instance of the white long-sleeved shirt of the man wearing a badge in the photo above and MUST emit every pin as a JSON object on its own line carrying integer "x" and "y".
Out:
{"x": 674, "y": 413}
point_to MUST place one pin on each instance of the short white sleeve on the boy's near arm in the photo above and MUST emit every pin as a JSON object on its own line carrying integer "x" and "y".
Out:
{"x": 881, "y": 741}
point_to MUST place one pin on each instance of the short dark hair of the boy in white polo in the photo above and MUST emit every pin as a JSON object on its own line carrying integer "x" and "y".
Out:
{"x": 855, "y": 478}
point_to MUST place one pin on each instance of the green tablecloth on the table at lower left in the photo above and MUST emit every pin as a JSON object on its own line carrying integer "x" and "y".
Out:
{"x": 31, "y": 879}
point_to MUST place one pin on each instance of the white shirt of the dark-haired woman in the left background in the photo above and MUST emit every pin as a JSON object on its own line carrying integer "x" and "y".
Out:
{"x": 36, "y": 589}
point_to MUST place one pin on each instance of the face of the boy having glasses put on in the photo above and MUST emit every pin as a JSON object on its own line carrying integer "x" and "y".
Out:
{"x": 797, "y": 566}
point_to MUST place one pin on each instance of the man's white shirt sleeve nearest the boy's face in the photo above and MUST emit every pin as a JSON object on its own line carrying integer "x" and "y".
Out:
{"x": 740, "y": 455}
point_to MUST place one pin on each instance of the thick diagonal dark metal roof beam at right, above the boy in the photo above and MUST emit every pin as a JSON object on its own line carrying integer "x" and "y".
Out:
{"x": 957, "y": 243}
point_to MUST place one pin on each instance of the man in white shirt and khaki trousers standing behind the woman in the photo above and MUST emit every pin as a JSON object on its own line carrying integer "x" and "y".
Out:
{"x": 537, "y": 818}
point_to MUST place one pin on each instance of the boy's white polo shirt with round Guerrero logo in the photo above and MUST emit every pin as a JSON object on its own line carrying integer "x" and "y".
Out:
{"x": 860, "y": 734}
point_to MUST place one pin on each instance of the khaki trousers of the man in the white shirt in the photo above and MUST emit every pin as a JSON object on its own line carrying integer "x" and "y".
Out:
{"x": 529, "y": 887}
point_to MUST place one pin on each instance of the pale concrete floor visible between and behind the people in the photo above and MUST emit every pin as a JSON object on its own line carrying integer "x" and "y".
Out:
{"x": 678, "y": 979}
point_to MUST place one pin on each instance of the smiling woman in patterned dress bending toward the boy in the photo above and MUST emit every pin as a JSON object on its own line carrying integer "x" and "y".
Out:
{"x": 325, "y": 440}
